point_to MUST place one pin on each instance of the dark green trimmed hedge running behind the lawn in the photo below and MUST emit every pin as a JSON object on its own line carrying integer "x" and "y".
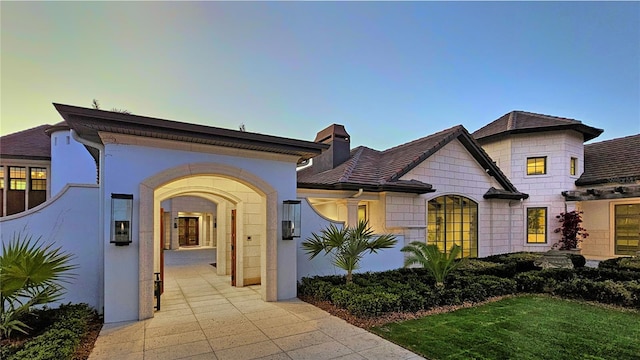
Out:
{"x": 412, "y": 290}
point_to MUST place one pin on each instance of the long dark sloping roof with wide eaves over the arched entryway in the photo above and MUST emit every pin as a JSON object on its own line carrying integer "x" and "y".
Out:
{"x": 89, "y": 122}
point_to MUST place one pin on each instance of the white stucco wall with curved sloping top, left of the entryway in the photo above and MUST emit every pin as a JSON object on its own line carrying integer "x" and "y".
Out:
{"x": 70, "y": 221}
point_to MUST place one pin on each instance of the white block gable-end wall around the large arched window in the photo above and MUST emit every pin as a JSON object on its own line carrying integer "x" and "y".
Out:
{"x": 452, "y": 170}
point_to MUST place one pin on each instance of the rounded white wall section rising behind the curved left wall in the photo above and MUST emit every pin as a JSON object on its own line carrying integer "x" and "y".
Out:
{"x": 71, "y": 163}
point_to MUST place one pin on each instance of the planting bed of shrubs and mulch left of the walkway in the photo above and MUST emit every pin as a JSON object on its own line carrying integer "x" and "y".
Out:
{"x": 65, "y": 333}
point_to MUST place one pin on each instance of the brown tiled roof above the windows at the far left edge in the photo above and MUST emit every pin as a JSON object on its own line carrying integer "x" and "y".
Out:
{"x": 32, "y": 144}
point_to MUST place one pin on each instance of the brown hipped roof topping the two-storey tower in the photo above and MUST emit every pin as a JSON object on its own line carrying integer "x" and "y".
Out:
{"x": 521, "y": 122}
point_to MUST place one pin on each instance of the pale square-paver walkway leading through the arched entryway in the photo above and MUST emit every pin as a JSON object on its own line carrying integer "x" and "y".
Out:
{"x": 203, "y": 317}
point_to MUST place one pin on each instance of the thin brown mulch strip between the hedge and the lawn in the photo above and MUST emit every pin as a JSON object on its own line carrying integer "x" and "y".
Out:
{"x": 369, "y": 322}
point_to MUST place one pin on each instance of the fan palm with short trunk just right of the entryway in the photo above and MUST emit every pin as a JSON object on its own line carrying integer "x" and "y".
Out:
{"x": 348, "y": 245}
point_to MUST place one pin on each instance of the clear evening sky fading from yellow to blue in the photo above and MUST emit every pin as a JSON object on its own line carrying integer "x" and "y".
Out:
{"x": 390, "y": 72}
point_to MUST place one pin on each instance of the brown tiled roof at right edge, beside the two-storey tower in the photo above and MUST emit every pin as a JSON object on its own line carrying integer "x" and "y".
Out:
{"x": 615, "y": 161}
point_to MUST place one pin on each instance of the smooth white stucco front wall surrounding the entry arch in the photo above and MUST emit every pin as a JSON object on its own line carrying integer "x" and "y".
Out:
{"x": 126, "y": 166}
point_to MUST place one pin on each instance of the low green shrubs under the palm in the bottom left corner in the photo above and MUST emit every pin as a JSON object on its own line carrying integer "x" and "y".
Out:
{"x": 69, "y": 323}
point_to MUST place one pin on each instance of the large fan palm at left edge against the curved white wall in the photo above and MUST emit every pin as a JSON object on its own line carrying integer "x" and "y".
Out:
{"x": 30, "y": 275}
